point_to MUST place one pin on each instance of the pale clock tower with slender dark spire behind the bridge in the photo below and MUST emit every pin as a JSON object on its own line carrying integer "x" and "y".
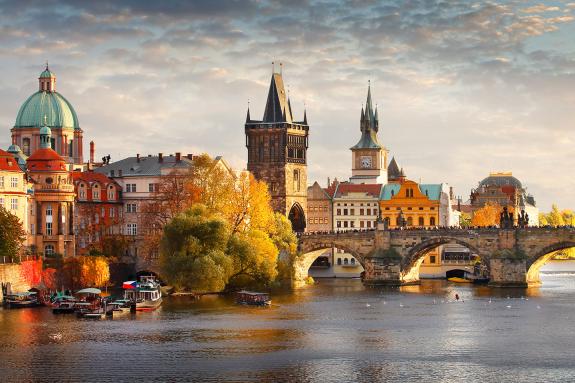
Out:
{"x": 369, "y": 157}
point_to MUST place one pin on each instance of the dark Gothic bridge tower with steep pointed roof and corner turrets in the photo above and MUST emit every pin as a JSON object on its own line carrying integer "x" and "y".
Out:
{"x": 277, "y": 153}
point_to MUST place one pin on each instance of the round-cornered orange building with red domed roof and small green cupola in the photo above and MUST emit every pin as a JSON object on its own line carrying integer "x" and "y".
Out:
{"x": 52, "y": 213}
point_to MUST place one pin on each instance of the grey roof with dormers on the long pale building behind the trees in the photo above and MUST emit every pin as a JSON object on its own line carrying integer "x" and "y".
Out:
{"x": 146, "y": 166}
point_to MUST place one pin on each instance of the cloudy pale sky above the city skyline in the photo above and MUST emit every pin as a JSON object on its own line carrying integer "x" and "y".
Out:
{"x": 463, "y": 88}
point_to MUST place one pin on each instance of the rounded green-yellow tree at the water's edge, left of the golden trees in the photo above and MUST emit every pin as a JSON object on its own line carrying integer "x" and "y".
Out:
{"x": 193, "y": 251}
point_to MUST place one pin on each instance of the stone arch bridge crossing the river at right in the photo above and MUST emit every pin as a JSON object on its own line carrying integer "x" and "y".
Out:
{"x": 513, "y": 257}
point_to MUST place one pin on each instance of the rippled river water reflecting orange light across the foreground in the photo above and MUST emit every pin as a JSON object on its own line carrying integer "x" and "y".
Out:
{"x": 336, "y": 331}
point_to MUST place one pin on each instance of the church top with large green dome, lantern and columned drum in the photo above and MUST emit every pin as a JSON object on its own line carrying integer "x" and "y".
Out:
{"x": 49, "y": 108}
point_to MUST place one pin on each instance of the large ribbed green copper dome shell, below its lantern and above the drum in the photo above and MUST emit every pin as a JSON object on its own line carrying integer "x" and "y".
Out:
{"x": 58, "y": 112}
